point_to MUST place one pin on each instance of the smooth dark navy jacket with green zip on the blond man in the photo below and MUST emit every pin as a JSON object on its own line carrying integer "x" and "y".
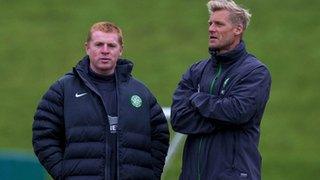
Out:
{"x": 219, "y": 104}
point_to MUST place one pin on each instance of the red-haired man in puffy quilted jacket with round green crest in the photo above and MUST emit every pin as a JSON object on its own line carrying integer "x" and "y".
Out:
{"x": 97, "y": 121}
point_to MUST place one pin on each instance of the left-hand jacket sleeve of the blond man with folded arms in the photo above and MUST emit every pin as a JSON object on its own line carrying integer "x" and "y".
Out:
{"x": 184, "y": 117}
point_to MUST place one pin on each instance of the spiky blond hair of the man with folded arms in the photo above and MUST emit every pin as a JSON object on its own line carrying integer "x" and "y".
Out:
{"x": 238, "y": 15}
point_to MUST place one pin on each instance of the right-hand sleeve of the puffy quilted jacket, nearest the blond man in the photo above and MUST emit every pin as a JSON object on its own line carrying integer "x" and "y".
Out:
{"x": 159, "y": 137}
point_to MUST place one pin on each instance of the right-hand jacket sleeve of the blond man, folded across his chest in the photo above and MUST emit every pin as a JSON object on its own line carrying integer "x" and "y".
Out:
{"x": 248, "y": 96}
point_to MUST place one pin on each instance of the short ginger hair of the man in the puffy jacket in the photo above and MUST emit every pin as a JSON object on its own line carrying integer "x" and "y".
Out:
{"x": 106, "y": 27}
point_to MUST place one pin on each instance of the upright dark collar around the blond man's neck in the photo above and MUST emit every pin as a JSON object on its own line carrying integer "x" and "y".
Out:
{"x": 229, "y": 57}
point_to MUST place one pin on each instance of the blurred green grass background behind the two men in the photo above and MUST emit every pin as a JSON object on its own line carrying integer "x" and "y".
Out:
{"x": 41, "y": 40}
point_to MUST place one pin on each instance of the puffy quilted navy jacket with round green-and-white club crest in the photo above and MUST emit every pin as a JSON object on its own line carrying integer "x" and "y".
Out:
{"x": 70, "y": 127}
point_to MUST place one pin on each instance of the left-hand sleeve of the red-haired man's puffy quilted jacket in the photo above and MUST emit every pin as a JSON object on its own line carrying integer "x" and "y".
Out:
{"x": 48, "y": 130}
